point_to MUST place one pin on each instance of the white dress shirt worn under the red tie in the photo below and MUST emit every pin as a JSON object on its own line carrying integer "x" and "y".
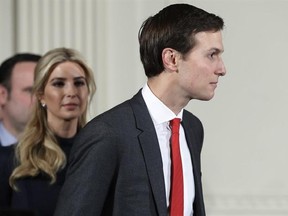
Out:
{"x": 161, "y": 115}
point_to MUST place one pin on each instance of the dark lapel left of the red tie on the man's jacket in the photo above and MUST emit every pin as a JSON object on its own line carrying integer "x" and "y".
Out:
{"x": 151, "y": 151}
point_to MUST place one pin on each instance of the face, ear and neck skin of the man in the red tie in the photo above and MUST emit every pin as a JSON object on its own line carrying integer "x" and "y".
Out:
{"x": 195, "y": 77}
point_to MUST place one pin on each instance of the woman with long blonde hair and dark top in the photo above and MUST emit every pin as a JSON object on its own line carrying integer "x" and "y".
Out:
{"x": 63, "y": 87}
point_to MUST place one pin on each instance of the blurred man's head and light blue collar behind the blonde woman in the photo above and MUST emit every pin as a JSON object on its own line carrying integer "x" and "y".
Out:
{"x": 16, "y": 82}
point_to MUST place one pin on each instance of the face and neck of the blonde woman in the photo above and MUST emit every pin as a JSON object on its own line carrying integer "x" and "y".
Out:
{"x": 65, "y": 97}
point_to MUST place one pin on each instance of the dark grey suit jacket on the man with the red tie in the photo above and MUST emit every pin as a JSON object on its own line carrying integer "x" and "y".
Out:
{"x": 116, "y": 166}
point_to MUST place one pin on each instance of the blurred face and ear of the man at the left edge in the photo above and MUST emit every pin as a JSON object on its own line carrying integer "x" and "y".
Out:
{"x": 16, "y": 106}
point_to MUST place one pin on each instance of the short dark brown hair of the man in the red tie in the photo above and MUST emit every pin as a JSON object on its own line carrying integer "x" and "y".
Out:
{"x": 173, "y": 27}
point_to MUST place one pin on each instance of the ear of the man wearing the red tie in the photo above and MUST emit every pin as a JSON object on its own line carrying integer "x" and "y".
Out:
{"x": 169, "y": 58}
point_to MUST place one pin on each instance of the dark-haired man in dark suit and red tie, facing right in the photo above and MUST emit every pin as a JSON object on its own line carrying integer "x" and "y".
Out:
{"x": 120, "y": 163}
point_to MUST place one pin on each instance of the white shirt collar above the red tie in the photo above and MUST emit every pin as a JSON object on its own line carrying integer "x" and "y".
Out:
{"x": 159, "y": 112}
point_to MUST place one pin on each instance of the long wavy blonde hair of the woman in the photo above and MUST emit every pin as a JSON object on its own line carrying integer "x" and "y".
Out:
{"x": 38, "y": 150}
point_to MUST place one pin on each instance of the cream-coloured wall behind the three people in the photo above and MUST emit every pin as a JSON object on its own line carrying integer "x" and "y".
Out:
{"x": 244, "y": 158}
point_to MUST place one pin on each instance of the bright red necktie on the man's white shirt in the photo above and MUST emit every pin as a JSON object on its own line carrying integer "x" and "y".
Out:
{"x": 176, "y": 191}
